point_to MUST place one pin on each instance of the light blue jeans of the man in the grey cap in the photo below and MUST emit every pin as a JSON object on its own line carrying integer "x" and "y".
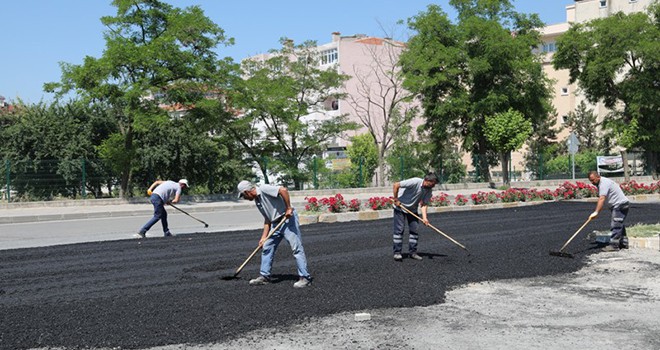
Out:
{"x": 290, "y": 231}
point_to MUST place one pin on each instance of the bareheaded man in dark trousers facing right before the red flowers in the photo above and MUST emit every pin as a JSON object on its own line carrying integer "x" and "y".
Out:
{"x": 411, "y": 194}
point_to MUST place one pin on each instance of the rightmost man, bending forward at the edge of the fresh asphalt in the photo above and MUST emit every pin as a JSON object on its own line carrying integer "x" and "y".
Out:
{"x": 610, "y": 193}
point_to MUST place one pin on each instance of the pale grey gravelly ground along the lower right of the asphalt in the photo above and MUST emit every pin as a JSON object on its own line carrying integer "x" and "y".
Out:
{"x": 613, "y": 302}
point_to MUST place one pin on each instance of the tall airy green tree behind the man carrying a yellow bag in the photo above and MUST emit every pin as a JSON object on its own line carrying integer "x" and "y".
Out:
{"x": 152, "y": 50}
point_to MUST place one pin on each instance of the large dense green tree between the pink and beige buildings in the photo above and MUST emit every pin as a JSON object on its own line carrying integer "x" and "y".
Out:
{"x": 480, "y": 66}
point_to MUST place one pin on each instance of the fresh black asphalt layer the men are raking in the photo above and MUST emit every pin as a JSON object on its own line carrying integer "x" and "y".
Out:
{"x": 158, "y": 291}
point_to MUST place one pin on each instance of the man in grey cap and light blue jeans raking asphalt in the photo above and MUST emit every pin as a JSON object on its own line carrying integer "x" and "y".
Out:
{"x": 274, "y": 204}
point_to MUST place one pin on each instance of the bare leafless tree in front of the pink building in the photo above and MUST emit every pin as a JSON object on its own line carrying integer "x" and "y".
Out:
{"x": 381, "y": 103}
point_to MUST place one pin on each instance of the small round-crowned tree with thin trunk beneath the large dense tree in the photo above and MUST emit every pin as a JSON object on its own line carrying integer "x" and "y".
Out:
{"x": 506, "y": 132}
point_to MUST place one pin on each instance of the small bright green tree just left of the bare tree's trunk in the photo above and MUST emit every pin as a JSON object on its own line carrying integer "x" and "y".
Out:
{"x": 364, "y": 159}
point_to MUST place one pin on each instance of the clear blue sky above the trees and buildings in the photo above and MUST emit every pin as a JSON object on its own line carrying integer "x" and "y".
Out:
{"x": 35, "y": 35}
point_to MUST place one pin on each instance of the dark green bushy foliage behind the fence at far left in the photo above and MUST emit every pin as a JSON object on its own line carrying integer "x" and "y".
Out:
{"x": 46, "y": 145}
